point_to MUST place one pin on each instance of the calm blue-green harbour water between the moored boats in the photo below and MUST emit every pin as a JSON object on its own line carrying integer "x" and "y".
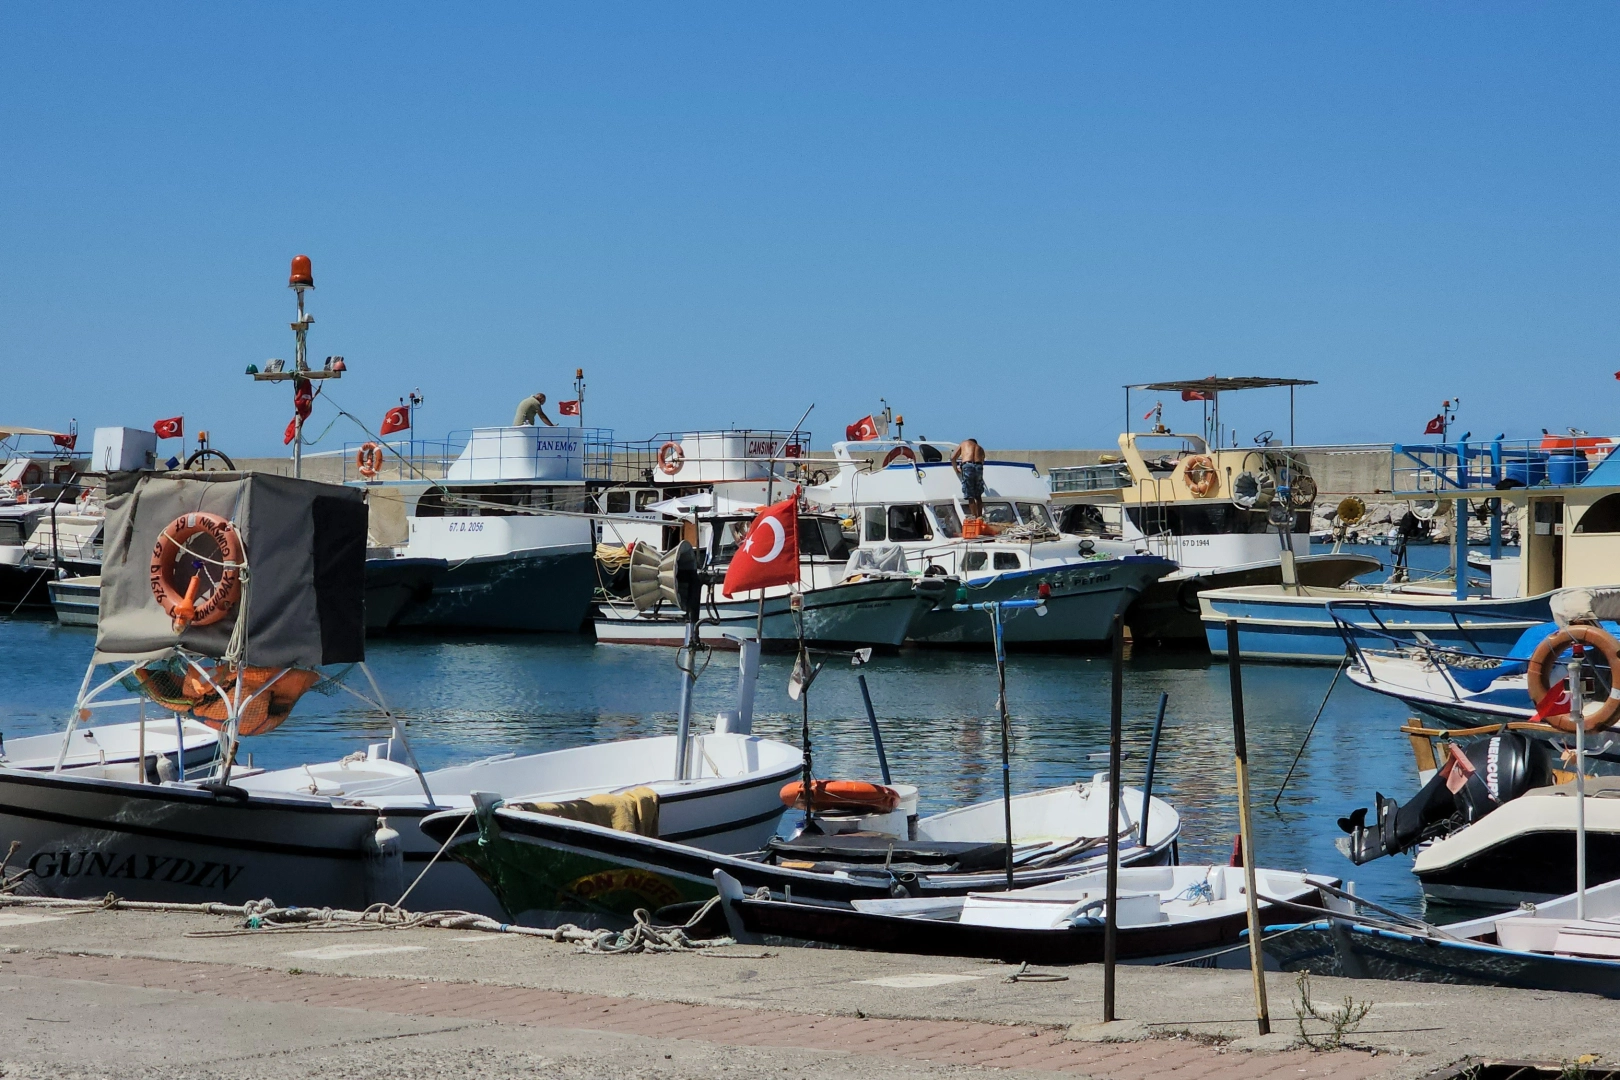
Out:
{"x": 477, "y": 697}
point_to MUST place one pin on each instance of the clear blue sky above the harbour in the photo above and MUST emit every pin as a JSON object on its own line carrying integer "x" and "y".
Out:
{"x": 992, "y": 216}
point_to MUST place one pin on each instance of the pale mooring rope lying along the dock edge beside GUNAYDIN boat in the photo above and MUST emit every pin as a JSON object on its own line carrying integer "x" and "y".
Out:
{"x": 265, "y": 917}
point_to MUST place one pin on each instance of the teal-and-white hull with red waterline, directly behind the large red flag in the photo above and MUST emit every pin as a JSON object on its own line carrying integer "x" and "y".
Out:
{"x": 861, "y": 614}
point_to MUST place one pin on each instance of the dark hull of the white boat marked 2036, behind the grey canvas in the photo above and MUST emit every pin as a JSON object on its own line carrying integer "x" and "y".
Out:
{"x": 544, "y": 590}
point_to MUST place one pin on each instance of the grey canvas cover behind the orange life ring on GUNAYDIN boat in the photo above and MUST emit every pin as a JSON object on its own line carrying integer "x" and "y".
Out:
{"x": 305, "y": 546}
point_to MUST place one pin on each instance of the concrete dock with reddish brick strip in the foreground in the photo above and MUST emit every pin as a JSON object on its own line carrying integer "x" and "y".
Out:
{"x": 108, "y": 993}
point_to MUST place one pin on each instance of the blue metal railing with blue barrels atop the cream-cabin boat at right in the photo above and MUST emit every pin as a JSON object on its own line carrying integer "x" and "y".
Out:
{"x": 1447, "y": 467}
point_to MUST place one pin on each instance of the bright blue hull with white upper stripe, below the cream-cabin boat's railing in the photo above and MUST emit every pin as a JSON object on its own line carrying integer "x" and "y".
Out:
{"x": 1282, "y": 626}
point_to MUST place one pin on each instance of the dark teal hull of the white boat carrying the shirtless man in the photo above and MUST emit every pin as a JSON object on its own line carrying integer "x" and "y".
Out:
{"x": 1080, "y": 611}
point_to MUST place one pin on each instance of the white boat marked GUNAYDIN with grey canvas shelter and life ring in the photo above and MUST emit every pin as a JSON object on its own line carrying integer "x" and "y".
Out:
{"x": 237, "y": 653}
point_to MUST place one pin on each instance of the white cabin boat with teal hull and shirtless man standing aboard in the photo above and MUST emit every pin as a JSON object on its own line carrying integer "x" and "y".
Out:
{"x": 905, "y": 496}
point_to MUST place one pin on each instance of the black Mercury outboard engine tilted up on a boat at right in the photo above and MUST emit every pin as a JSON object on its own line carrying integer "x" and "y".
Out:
{"x": 1506, "y": 767}
